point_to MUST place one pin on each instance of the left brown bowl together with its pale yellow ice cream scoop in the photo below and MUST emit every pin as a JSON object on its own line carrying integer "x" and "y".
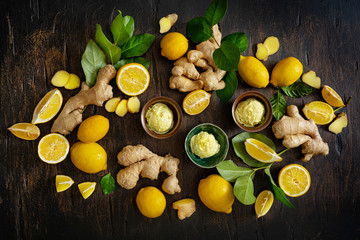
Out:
{"x": 161, "y": 117}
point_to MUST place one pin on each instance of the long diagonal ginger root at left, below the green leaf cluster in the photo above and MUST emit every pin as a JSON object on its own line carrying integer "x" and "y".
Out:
{"x": 71, "y": 115}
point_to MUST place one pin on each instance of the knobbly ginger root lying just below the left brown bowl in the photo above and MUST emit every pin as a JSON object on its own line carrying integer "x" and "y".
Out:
{"x": 139, "y": 160}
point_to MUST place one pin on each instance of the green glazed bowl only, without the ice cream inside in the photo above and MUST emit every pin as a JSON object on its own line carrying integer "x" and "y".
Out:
{"x": 219, "y": 135}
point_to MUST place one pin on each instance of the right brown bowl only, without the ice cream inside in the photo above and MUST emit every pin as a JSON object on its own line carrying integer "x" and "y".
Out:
{"x": 268, "y": 111}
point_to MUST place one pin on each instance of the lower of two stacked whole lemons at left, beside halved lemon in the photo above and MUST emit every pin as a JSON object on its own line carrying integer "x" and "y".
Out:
{"x": 88, "y": 157}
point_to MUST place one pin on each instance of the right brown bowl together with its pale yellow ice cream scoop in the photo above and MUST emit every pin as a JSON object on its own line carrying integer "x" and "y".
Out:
{"x": 252, "y": 111}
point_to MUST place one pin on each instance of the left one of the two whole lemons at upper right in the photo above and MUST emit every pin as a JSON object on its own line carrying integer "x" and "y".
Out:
{"x": 253, "y": 72}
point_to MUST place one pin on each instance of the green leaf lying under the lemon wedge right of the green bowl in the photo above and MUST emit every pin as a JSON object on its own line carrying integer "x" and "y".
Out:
{"x": 239, "y": 147}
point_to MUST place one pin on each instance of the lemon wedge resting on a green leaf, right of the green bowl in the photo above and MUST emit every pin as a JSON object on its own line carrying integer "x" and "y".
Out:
{"x": 260, "y": 151}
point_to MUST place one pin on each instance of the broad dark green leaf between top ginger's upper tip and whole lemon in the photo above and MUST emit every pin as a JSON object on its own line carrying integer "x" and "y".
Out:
{"x": 227, "y": 56}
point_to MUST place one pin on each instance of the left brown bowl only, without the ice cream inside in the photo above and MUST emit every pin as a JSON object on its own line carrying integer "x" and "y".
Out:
{"x": 174, "y": 107}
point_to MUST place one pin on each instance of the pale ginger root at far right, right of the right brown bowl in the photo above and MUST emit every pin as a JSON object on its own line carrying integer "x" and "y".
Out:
{"x": 297, "y": 131}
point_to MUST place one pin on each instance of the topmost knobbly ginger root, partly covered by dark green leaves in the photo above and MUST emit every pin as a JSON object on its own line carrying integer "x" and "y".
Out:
{"x": 186, "y": 78}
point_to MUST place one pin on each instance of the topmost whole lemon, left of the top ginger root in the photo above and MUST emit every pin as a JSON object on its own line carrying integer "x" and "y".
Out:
{"x": 173, "y": 45}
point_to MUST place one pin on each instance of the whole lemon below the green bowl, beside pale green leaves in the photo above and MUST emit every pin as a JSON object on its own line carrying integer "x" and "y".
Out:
{"x": 216, "y": 193}
